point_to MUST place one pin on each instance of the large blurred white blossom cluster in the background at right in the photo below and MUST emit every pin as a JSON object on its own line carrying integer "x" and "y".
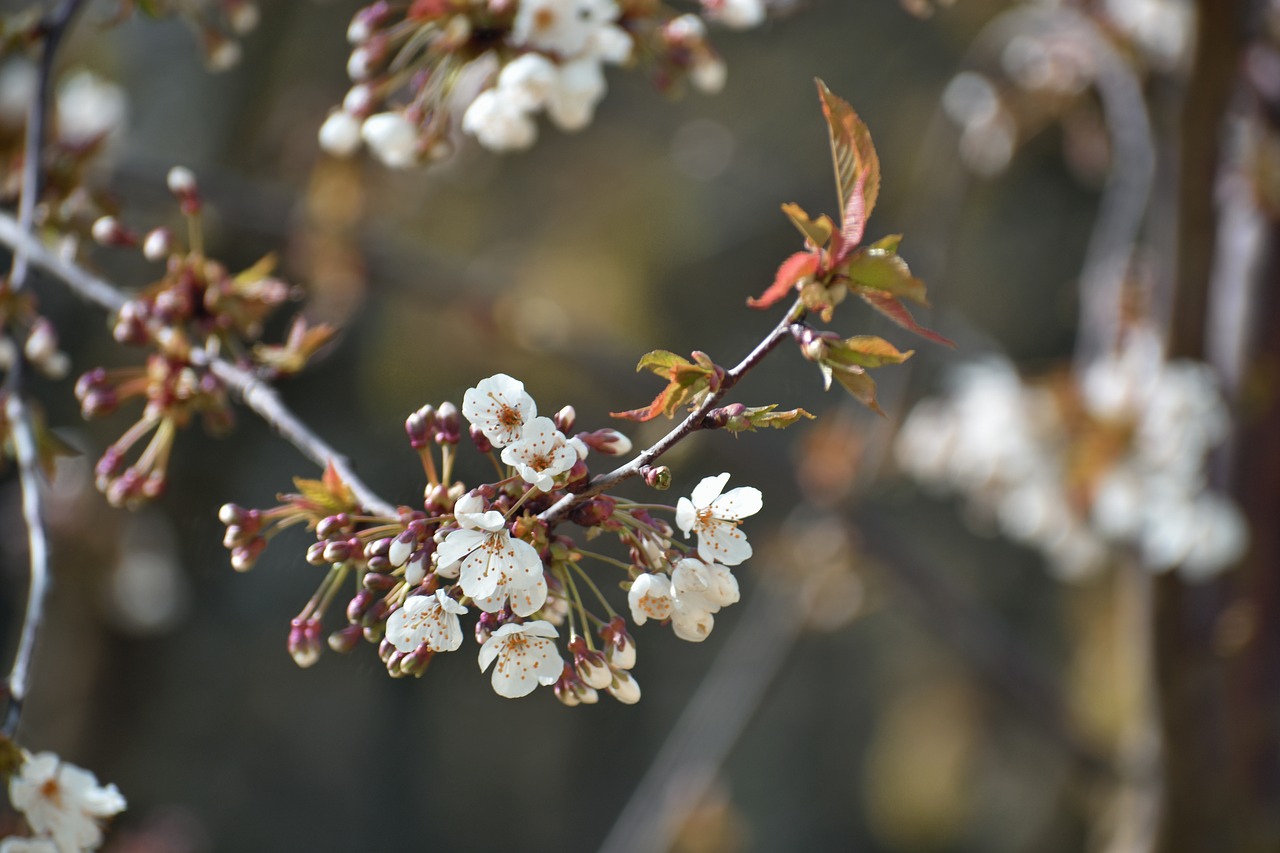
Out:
{"x": 1117, "y": 460}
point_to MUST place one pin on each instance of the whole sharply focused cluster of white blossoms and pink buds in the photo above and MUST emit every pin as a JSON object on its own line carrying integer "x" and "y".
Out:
{"x": 488, "y": 551}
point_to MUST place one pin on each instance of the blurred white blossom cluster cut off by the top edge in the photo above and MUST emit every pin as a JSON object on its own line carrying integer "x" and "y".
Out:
{"x": 500, "y": 63}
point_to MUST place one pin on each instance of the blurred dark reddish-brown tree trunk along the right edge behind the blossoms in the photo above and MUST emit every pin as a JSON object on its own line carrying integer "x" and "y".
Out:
{"x": 1218, "y": 646}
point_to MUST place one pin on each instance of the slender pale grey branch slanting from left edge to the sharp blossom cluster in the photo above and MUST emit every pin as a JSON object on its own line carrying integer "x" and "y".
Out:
{"x": 257, "y": 394}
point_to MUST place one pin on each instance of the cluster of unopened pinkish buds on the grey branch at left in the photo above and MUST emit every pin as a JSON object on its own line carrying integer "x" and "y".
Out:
{"x": 195, "y": 309}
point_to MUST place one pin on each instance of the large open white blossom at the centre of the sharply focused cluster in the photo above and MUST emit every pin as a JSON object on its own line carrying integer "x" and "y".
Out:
{"x": 495, "y": 567}
